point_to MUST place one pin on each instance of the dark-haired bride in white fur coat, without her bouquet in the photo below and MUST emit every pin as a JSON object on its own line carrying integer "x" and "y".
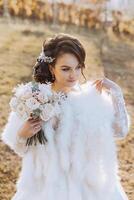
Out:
{"x": 79, "y": 160}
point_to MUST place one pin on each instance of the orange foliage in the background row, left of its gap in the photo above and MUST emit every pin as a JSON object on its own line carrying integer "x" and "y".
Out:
{"x": 65, "y": 13}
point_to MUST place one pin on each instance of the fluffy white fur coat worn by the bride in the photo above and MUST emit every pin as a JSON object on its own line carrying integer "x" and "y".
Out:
{"x": 80, "y": 159}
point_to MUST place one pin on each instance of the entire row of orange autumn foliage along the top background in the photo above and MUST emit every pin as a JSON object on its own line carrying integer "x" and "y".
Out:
{"x": 71, "y": 14}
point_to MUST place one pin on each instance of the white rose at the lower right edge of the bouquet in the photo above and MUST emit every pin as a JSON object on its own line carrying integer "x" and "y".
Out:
{"x": 47, "y": 112}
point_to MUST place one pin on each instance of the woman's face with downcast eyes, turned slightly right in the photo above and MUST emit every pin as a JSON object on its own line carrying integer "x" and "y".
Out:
{"x": 67, "y": 70}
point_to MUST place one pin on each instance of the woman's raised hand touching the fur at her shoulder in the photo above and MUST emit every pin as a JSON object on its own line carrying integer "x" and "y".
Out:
{"x": 106, "y": 84}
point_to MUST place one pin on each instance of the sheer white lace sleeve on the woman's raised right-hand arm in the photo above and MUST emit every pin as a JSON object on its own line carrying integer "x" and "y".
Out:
{"x": 121, "y": 122}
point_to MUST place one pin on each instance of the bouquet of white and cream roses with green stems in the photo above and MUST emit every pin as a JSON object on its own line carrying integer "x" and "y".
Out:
{"x": 36, "y": 100}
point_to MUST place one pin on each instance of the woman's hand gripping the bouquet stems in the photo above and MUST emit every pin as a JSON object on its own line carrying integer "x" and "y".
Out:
{"x": 30, "y": 127}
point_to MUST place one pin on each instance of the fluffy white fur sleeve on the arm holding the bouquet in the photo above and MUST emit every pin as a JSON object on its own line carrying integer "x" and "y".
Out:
{"x": 10, "y": 137}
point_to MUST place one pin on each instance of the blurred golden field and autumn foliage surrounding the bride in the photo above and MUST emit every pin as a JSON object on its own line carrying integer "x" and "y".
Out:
{"x": 106, "y": 29}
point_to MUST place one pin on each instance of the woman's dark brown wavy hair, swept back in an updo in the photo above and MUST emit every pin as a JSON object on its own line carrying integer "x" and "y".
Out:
{"x": 54, "y": 47}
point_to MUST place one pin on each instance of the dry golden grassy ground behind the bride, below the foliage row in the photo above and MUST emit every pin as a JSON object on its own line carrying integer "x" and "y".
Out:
{"x": 20, "y": 44}
